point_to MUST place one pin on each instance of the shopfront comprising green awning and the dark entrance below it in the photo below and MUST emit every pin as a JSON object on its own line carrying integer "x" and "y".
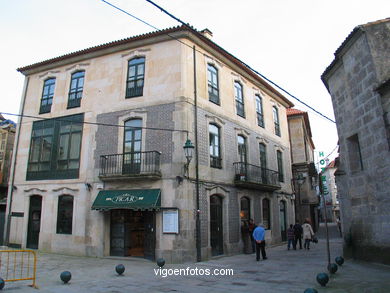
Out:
{"x": 132, "y": 220}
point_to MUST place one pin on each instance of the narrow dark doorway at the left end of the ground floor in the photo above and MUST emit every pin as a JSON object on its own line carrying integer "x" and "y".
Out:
{"x": 34, "y": 222}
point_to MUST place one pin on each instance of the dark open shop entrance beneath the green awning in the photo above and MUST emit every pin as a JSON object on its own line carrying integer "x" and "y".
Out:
{"x": 133, "y": 233}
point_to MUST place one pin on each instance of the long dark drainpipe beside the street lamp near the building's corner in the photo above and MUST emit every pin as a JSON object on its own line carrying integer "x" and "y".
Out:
{"x": 198, "y": 240}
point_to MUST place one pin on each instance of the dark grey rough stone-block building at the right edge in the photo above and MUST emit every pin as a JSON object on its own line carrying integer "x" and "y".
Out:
{"x": 358, "y": 82}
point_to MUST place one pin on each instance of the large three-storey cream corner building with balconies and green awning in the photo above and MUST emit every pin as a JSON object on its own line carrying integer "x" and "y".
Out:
{"x": 102, "y": 170}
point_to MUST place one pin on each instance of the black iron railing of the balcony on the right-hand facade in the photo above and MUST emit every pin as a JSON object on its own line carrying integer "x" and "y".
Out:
{"x": 245, "y": 172}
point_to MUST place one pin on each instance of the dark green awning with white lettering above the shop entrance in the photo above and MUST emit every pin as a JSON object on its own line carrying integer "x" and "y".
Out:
{"x": 134, "y": 199}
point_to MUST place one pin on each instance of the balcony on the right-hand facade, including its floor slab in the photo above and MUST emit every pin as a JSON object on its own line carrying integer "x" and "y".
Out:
{"x": 255, "y": 177}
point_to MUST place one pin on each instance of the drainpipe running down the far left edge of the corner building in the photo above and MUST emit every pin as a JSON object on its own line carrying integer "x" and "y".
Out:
{"x": 13, "y": 165}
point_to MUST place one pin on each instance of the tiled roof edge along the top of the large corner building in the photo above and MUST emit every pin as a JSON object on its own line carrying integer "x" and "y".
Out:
{"x": 154, "y": 34}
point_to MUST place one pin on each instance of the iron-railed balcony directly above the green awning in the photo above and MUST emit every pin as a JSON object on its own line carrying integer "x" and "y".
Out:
{"x": 129, "y": 166}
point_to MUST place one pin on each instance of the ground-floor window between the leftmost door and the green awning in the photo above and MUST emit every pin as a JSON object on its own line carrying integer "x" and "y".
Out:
{"x": 65, "y": 214}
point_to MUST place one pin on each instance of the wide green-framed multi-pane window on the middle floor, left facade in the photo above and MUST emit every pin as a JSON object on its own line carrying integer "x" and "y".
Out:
{"x": 55, "y": 148}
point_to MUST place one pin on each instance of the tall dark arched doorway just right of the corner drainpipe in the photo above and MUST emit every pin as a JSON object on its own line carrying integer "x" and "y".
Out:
{"x": 216, "y": 228}
